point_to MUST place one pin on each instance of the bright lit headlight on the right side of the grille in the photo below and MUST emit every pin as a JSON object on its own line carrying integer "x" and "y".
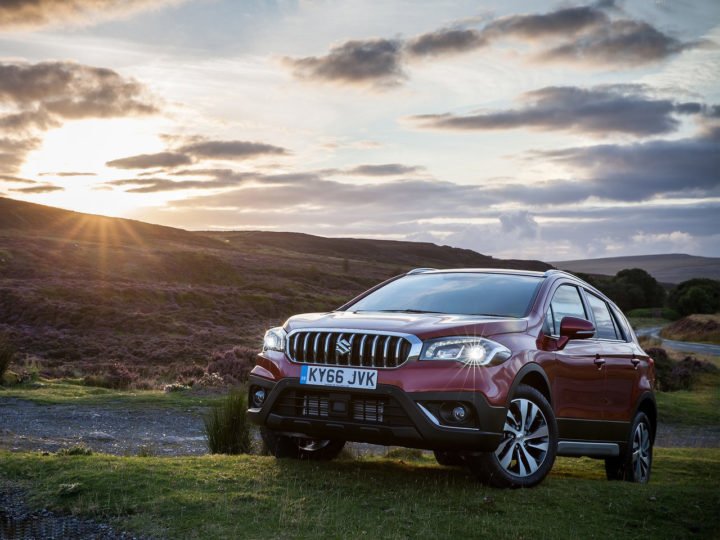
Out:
{"x": 473, "y": 351}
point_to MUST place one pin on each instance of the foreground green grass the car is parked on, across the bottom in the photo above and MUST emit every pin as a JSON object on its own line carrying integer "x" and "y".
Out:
{"x": 259, "y": 497}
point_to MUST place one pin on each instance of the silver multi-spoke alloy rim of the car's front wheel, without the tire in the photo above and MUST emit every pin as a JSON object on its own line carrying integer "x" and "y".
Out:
{"x": 526, "y": 441}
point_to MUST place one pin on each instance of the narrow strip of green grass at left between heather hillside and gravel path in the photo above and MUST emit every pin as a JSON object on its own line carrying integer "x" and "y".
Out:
{"x": 72, "y": 391}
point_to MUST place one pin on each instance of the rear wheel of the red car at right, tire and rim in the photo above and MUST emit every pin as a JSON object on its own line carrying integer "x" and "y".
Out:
{"x": 635, "y": 464}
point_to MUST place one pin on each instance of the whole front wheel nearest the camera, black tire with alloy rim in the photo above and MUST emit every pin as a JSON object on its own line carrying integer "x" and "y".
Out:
{"x": 527, "y": 452}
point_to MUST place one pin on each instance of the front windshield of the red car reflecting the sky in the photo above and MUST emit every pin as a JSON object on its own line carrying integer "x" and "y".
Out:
{"x": 466, "y": 293}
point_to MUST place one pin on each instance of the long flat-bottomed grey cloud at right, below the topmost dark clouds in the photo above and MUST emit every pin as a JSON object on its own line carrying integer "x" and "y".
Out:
{"x": 597, "y": 111}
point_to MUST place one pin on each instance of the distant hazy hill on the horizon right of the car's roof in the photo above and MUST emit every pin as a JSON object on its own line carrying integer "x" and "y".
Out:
{"x": 670, "y": 268}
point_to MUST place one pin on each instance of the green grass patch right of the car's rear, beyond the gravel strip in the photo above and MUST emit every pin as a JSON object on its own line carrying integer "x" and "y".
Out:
{"x": 697, "y": 407}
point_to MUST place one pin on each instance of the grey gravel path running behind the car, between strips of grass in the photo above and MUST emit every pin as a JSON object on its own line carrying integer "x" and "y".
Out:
{"x": 25, "y": 425}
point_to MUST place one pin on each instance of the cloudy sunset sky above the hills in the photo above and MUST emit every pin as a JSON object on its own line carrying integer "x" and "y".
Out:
{"x": 518, "y": 129}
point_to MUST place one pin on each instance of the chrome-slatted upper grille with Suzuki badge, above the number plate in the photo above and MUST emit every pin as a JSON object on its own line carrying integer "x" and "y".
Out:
{"x": 336, "y": 348}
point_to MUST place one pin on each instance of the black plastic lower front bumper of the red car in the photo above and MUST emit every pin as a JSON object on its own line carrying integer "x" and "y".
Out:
{"x": 401, "y": 421}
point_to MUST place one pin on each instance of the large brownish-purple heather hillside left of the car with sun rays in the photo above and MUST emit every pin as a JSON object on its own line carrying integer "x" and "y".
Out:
{"x": 80, "y": 292}
